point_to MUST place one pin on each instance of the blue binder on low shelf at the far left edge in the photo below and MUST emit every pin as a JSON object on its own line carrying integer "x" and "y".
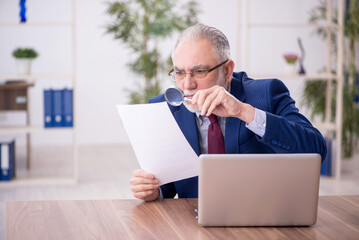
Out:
{"x": 7, "y": 160}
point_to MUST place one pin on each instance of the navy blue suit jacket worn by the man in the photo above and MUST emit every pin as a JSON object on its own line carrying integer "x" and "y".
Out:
{"x": 287, "y": 131}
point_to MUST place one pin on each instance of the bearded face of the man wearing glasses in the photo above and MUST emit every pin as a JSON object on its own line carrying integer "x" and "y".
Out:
{"x": 190, "y": 55}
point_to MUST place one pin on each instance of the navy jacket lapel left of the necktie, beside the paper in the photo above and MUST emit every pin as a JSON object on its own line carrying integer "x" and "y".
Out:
{"x": 187, "y": 123}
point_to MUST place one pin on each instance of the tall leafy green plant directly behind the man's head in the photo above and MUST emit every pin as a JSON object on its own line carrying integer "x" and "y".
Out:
{"x": 142, "y": 26}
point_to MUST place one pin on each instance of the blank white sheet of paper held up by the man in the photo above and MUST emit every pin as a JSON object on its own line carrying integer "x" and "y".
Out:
{"x": 158, "y": 142}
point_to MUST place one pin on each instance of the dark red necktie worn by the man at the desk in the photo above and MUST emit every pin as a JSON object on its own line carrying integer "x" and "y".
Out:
{"x": 215, "y": 137}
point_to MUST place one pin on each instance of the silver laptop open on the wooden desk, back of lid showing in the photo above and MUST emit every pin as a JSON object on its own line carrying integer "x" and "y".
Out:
{"x": 258, "y": 189}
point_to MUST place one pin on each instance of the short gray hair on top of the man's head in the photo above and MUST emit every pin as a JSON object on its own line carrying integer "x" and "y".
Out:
{"x": 217, "y": 39}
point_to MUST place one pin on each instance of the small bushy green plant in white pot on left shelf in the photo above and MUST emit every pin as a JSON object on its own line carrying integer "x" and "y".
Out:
{"x": 24, "y": 57}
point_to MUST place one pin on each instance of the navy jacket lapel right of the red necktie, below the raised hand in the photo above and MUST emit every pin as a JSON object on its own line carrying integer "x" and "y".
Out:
{"x": 233, "y": 125}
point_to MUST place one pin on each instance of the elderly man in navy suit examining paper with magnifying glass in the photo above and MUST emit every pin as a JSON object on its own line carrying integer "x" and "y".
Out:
{"x": 229, "y": 112}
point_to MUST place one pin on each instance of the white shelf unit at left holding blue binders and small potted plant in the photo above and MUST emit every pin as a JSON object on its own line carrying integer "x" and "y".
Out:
{"x": 63, "y": 77}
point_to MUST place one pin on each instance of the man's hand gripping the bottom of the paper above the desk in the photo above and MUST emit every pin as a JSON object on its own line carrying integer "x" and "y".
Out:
{"x": 144, "y": 185}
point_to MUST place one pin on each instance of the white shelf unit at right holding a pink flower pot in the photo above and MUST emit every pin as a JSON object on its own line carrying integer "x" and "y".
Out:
{"x": 243, "y": 28}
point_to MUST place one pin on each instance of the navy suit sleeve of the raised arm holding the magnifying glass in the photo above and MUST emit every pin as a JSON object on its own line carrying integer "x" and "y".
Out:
{"x": 286, "y": 129}
